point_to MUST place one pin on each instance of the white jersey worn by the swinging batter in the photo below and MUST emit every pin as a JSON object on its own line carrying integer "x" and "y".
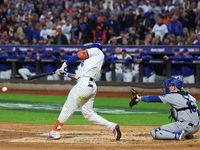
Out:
{"x": 91, "y": 66}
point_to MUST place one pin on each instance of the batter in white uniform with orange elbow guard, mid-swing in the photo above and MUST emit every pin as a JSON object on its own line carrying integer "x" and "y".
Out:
{"x": 83, "y": 93}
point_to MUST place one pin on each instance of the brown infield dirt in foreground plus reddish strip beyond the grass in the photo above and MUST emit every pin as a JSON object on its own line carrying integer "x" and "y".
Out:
{"x": 15, "y": 136}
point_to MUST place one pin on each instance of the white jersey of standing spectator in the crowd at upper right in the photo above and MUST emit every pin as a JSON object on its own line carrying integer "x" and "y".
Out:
{"x": 160, "y": 30}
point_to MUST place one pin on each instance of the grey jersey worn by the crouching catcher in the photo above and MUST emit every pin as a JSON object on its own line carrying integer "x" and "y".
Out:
{"x": 177, "y": 101}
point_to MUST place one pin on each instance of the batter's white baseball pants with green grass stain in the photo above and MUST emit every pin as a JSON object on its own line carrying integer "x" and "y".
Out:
{"x": 83, "y": 94}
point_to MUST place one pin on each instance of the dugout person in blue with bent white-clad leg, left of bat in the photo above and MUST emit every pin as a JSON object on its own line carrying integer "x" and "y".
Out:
{"x": 29, "y": 67}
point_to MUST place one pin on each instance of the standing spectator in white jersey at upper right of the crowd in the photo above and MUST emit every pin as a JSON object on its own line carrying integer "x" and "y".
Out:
{"x": 160, "y": 29}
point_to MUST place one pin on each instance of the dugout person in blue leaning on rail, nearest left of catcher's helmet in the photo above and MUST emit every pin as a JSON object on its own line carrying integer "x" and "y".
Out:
{"x": 148, "y": 69}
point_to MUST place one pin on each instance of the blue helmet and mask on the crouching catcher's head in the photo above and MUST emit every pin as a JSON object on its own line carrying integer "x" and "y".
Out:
{"x": 173, "y": 81}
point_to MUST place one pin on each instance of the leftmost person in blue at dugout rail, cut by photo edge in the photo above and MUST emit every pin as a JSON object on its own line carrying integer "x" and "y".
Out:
{"x": 5, "y": 67}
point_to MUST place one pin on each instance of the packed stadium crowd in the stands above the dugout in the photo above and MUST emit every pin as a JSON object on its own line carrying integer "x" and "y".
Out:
{"x": 111, "y": 22}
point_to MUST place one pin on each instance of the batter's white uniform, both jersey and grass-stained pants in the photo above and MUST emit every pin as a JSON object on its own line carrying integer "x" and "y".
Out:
{"x": 84, "y": 92}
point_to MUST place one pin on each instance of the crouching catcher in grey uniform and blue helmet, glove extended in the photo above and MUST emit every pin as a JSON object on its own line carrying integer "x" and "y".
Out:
{"x": 184, "y": 110}
